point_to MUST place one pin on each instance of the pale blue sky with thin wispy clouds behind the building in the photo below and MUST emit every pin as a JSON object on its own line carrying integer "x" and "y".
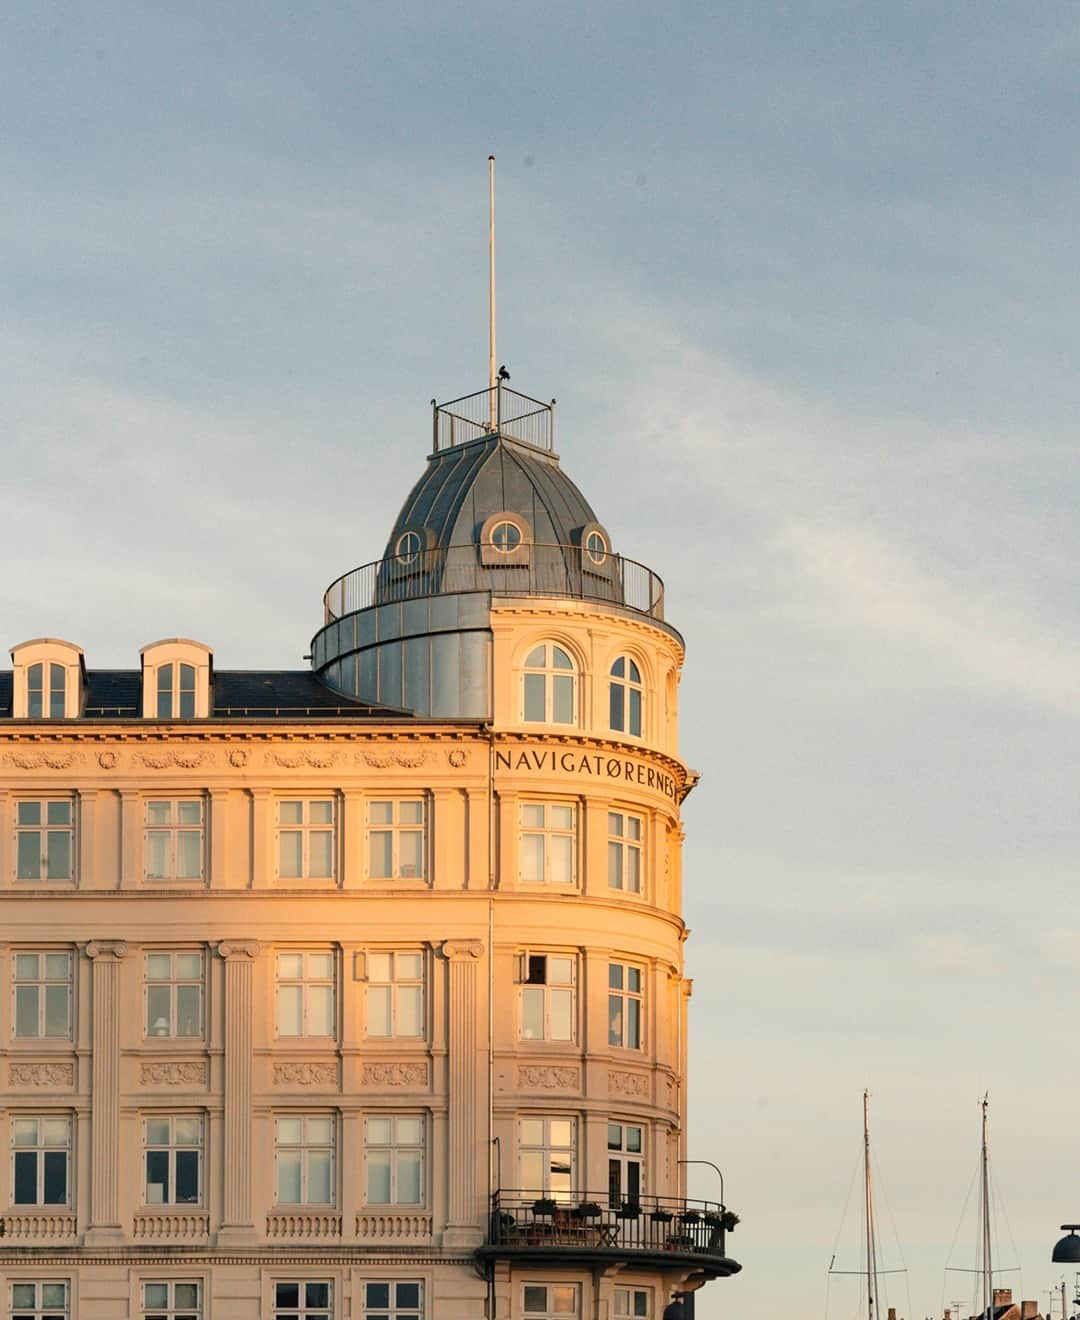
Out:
{"x": 803, "y": 279}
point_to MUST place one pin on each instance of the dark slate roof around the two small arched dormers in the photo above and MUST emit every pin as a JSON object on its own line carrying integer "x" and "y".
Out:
{"x": 237, "y": 695}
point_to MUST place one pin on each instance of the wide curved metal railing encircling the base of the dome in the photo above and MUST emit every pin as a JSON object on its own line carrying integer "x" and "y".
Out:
{"x": 554, "y": 571}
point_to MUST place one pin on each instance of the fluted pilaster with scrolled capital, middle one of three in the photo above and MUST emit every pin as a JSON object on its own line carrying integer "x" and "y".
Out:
{"x": 237, "y": 1219}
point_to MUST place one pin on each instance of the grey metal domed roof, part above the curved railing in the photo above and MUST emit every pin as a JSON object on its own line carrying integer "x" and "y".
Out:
{"x": 465, "y": 486}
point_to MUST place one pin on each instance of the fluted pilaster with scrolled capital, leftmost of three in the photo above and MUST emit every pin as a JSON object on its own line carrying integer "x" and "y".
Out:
{"x": 105, "y": 1129}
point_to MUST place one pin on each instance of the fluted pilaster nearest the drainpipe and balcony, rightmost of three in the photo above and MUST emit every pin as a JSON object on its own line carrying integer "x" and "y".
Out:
{"x": 467, "y": 1092}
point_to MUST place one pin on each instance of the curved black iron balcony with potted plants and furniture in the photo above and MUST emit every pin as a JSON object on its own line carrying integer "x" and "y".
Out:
{"x": 656, "y": 1232}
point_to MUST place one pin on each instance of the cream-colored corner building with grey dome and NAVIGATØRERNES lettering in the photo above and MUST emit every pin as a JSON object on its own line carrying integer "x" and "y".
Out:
{"x": 360, "y": 992}
